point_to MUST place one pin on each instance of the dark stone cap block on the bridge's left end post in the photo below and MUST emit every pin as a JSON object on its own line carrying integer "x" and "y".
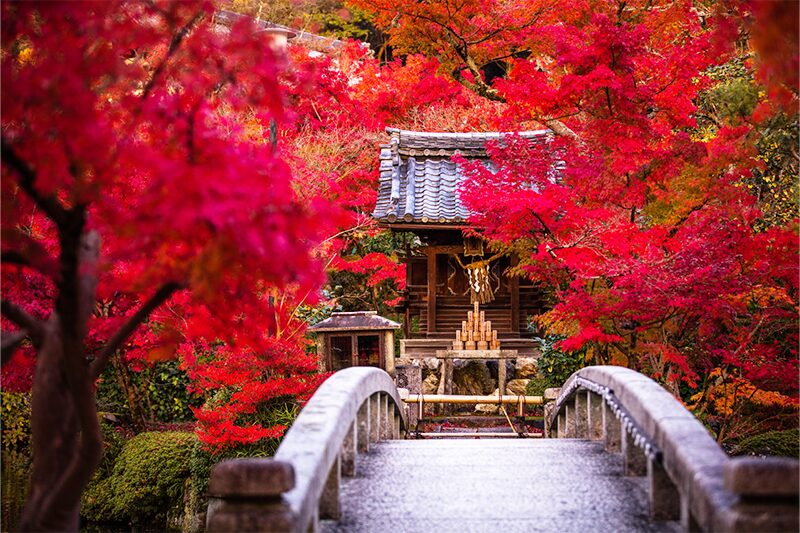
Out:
{"x": 247, "y": 478}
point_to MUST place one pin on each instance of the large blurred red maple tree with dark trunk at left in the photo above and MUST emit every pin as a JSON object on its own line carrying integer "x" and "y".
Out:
{"x": 126, "y": 181}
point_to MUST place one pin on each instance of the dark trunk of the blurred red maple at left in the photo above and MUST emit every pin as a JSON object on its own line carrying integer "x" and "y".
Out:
{"x": 65, "y": 432}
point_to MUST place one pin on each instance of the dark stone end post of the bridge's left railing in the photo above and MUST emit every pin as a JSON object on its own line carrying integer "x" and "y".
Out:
{"x": 245, "y": 495}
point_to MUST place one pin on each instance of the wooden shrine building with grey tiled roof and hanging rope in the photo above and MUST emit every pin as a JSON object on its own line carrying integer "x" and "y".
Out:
{"x": 418, "y": 193}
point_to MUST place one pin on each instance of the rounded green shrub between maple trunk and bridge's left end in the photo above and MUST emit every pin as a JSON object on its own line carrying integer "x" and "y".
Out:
{"x": 147, "y": 479}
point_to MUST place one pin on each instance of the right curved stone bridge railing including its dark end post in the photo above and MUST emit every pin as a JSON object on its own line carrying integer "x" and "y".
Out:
{"x": 689, "y": 477}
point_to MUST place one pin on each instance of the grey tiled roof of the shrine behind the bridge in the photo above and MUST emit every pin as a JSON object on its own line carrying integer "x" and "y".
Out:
{"x": 418, "y": 179}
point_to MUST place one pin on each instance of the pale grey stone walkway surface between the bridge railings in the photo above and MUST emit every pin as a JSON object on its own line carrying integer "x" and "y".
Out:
{"x": 499, "y": 485}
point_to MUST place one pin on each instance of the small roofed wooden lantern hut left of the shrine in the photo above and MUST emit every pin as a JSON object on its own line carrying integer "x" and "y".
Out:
{"x": 361, "y": 338}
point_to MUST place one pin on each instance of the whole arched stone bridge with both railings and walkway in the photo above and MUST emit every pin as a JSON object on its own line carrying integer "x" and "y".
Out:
{"x": 622, "y": 454}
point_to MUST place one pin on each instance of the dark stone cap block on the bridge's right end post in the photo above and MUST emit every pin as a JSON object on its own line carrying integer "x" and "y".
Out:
{"x": 768, "y": 476}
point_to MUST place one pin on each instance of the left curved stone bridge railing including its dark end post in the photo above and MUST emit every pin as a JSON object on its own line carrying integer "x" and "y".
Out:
{"x": 354, "y": 408}
